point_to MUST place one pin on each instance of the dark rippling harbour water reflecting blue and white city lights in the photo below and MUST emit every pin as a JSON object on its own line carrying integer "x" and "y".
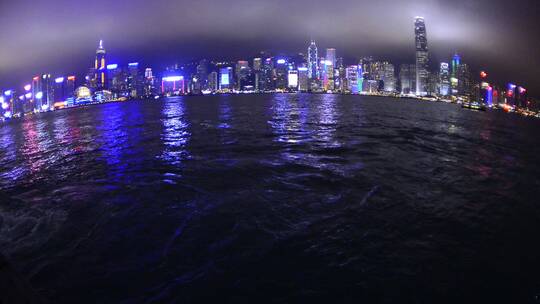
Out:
{"x": 273, "y": 198}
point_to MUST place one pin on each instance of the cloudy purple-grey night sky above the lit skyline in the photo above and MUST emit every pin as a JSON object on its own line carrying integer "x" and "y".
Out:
{"x": 61, "y": 36}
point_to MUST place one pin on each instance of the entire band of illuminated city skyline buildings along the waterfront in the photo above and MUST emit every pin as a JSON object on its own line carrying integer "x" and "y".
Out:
{"x": 317, "y": 71}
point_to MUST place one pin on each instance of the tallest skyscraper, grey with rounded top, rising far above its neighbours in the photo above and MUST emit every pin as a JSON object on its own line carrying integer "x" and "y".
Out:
{"x": 422, "y": 57}
